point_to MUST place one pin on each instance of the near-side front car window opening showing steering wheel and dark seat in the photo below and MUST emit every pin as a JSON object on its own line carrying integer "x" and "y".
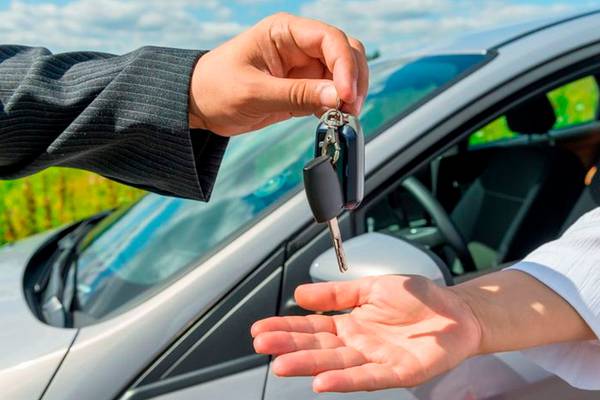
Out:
{"x": 502, "y": 202}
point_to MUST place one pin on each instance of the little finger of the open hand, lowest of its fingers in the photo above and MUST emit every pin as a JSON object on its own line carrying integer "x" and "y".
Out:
{"x": 364, "y": 377}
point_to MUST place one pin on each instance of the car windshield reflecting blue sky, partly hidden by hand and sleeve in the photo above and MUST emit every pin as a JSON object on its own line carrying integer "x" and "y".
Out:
{"x": 138, "y": 249}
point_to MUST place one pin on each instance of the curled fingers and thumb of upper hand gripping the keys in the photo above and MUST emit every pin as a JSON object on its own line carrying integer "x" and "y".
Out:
{"x": 306, "y": 50}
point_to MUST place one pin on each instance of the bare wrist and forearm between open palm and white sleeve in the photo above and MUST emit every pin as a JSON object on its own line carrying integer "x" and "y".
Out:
{"x": 515, "y": 311}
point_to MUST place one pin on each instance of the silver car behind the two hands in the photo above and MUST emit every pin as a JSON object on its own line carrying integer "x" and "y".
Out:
{"x": 478, "y": 151}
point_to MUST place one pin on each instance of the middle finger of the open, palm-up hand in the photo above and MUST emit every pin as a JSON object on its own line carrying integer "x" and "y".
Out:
{"x": 277, "y": 343}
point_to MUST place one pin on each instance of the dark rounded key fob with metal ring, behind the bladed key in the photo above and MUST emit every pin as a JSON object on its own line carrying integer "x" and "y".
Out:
{"x": 344, "y": 132}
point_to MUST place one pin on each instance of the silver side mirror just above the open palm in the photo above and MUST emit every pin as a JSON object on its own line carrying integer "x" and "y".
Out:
{"x": 375, "y": 254}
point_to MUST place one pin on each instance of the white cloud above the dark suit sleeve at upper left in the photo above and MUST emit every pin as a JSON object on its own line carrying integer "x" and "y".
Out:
{"x": 117, "y": 26}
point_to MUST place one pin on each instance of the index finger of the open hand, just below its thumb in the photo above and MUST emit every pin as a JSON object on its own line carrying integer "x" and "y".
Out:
{"x": 307, "y": 324}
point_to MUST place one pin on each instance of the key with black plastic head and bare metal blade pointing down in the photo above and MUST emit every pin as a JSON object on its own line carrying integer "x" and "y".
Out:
{"x": 326, "y": 201}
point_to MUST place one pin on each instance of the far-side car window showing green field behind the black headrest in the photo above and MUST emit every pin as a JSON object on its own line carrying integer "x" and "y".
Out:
{"x": 574, "y": 103}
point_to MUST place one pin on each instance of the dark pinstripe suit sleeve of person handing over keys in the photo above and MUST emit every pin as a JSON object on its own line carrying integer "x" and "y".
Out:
{"x": 124, "y": 117}
